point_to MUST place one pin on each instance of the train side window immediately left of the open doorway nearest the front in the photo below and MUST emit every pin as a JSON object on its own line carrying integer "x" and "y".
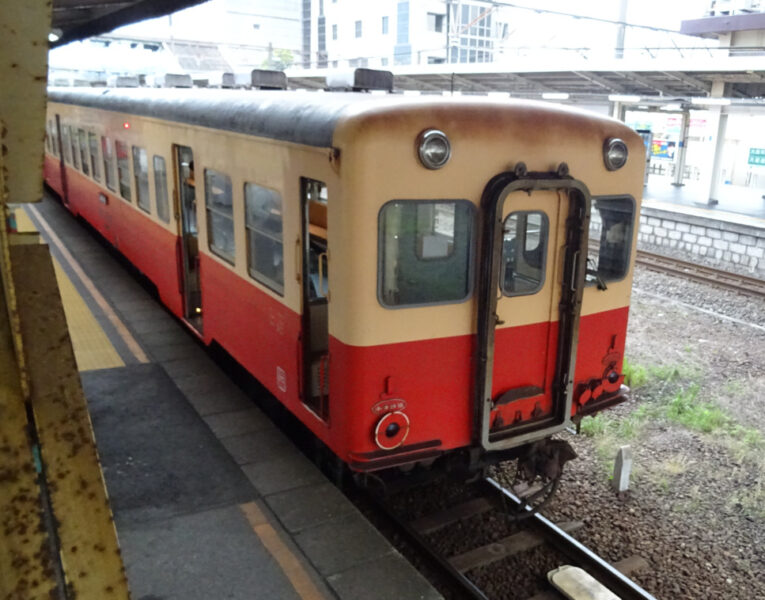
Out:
{"x": 263, "y": 221}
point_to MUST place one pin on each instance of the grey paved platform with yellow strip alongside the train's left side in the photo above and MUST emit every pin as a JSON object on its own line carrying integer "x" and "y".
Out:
{"x": 210, "y": 499}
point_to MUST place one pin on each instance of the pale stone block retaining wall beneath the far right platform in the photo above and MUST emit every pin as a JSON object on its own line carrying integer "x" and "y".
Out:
{"x": 723, "y": 243}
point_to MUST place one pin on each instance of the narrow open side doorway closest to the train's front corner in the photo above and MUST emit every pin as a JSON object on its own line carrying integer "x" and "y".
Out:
{"x": 315, "y": 285}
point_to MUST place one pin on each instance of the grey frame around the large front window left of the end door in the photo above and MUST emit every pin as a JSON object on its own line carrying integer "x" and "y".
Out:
{"x": 474, "y": 232}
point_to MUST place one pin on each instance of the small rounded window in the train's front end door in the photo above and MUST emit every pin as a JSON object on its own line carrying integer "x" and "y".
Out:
{"x": 524, "y": 253}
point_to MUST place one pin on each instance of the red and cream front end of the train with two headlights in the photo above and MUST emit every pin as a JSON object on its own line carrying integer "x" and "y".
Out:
{"x": 481, "y": 283}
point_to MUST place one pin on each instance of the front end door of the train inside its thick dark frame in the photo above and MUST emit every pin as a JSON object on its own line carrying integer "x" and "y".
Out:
{"x": 532, "y": 277}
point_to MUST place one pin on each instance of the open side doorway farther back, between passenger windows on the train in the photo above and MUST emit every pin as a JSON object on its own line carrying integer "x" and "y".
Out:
{"x": 187, "y": 250}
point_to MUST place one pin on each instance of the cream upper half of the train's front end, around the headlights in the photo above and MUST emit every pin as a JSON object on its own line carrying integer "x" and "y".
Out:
{"x": 379, "y": 163}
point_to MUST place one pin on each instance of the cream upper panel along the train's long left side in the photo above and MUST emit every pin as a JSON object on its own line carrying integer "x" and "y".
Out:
{"x": 269, "y": 163}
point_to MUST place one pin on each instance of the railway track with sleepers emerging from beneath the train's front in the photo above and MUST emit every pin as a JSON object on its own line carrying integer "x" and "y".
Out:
{"x": 530, "y": 531}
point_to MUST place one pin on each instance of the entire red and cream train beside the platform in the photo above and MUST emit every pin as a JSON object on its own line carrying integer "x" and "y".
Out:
{"x": 424, "y": 282}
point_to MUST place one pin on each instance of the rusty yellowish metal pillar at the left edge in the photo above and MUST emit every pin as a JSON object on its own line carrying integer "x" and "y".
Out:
{"x": 57, "y": 537}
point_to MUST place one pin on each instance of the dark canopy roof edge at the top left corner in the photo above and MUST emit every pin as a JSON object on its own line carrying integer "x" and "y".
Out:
{"x": 79, "y": 19}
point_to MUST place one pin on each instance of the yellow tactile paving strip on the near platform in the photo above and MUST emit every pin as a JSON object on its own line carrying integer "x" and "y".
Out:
{"x": 92, "y": 348}
